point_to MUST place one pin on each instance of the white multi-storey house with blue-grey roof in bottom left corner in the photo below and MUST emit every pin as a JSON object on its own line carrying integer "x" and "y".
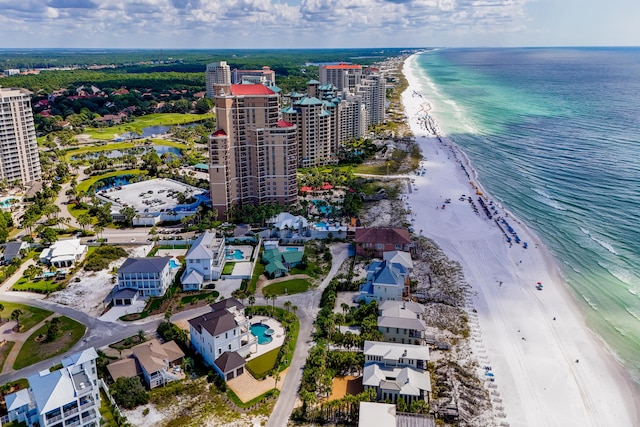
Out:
{"x": 69, "y": 396}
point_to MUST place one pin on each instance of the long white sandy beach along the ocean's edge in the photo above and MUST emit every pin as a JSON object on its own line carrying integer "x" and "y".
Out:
{"x": 550, "y": 369}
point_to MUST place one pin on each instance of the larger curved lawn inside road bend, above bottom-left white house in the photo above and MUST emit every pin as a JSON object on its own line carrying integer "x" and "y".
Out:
{"x": 33, "y": 351}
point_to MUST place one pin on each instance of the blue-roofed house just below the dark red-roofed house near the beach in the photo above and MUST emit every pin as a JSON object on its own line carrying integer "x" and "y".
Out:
{"x": 386, "y": 281}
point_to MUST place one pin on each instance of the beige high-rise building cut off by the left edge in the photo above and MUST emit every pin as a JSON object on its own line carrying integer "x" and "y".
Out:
{"x": 19, "y": 158}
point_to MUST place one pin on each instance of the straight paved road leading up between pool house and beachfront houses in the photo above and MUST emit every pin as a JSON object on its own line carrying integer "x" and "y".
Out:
{"x": 308, "y": 308}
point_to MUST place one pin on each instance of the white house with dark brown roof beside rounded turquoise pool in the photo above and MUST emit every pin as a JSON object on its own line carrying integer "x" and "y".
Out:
{"x": 224, "y": 329}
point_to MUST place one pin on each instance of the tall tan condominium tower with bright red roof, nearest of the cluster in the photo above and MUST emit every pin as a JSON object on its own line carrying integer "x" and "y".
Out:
{"x": 253, "y": 154}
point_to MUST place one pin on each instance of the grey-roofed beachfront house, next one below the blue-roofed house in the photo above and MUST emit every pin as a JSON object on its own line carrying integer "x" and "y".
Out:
{"x": 402, "y": 322}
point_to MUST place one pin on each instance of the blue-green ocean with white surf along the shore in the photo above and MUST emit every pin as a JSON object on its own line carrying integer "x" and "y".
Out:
{"x": 554, "y": 134}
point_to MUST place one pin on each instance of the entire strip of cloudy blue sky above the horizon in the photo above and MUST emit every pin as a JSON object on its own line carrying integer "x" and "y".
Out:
{"x": 219, "y": 24}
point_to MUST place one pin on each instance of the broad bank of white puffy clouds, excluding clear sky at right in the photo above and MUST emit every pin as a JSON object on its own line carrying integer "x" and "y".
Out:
{"x": 257, "y": 23}
